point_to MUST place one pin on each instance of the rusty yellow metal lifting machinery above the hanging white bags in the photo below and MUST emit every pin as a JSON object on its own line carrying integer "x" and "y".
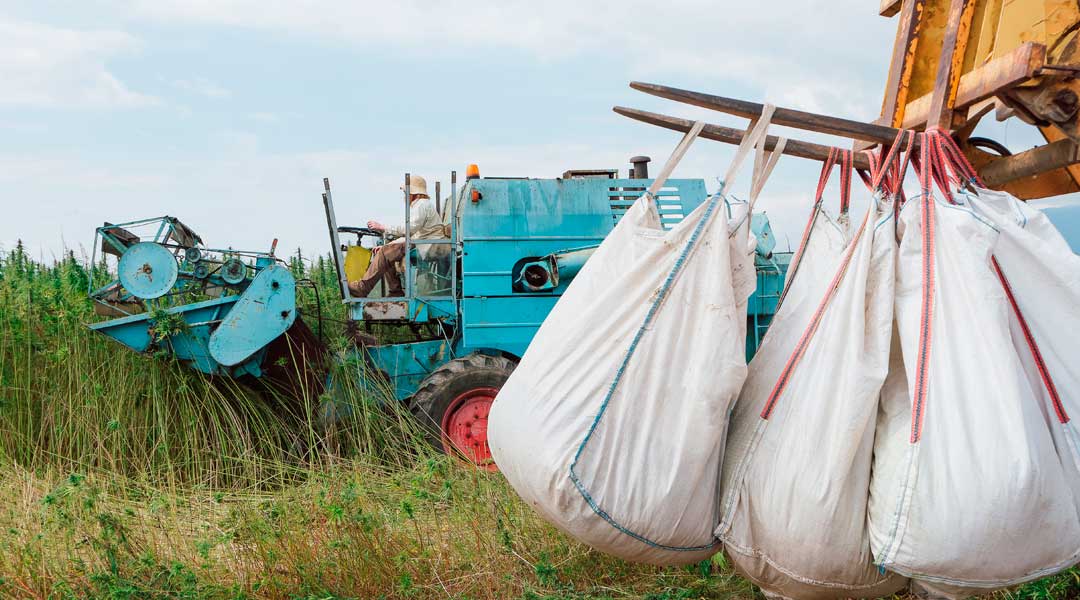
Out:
{"x": 953, "y": 60}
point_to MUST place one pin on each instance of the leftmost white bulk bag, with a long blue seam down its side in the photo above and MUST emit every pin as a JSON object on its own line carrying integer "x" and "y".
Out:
{"x": 613, "y": 425}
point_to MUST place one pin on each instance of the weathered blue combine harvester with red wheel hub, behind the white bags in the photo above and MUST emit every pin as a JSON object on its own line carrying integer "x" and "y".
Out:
{"x": 512, "y": 247}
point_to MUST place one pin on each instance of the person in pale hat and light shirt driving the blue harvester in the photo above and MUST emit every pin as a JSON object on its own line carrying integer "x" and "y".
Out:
{"x": 425, "y": 224}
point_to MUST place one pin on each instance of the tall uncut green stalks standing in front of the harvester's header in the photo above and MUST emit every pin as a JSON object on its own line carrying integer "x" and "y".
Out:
{"x": 75, "y": 400}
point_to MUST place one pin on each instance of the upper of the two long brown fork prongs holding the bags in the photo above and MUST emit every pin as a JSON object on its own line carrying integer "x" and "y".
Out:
{"x": 788, "y": 117}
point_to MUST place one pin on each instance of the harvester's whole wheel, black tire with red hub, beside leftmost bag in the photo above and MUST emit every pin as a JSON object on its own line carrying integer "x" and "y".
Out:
{"x": 454, "y": 402}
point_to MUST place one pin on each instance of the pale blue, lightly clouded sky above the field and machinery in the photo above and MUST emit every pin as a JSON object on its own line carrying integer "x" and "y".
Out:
{"x": 228, "y": 114}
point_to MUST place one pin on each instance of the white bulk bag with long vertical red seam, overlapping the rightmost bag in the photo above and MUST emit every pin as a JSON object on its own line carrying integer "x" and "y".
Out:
{"x": 968, "y": 494}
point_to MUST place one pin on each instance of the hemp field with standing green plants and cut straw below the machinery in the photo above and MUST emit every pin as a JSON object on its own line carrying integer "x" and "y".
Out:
{"x": 125, "y": 476}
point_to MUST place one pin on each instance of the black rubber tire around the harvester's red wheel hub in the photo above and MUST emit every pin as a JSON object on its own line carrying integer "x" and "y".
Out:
{"x": 450, "y": 383}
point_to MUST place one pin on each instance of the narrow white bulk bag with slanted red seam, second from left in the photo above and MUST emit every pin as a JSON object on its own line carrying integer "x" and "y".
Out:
{"x": 799, "y": 459}
